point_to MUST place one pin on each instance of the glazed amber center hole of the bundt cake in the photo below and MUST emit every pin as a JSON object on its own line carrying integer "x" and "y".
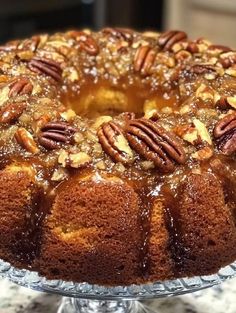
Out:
{"x": 94, "y": 101}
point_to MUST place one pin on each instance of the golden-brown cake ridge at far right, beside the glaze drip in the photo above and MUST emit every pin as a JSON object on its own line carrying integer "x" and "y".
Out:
{"x": 206, "y": 226}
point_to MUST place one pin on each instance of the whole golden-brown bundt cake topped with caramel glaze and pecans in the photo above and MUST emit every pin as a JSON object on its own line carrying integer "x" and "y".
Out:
{"x": 117, "y": 156}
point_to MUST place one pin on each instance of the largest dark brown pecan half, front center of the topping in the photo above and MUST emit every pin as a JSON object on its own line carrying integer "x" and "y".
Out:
{"x": 154, "y": 143}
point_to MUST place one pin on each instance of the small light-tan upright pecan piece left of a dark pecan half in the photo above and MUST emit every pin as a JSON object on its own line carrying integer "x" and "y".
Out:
{"x": 26, "y": 140}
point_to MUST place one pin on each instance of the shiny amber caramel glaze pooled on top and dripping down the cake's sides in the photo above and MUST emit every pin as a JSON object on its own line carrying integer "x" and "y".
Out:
{"x": 166, "y": 93}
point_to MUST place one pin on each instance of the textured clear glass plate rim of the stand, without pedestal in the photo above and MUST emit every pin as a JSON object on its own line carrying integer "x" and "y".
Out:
{"x": 33, "y": 281}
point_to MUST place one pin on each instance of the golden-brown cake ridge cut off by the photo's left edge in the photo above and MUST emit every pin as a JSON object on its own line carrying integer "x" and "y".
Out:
{"x": 18, "y": 193}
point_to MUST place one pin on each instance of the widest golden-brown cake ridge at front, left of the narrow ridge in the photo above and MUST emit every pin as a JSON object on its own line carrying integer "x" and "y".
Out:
{"x": 93, "y": 233}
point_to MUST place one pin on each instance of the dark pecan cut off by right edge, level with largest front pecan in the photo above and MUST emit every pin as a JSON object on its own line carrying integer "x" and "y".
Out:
{"x": 225, "y": 134}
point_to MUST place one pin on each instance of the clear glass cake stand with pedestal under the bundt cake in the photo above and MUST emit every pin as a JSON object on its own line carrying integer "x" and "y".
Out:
{"x": 83, "y": 297}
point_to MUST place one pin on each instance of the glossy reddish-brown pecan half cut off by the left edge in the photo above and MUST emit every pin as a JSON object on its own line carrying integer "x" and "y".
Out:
{"x": 11, "y": 112}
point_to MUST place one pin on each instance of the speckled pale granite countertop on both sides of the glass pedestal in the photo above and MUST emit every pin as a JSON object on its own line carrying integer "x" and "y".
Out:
{"x": 219, "y": 299}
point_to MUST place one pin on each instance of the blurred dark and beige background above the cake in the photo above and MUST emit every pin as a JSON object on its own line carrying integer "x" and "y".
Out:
{"x": 214, "y": 19}
